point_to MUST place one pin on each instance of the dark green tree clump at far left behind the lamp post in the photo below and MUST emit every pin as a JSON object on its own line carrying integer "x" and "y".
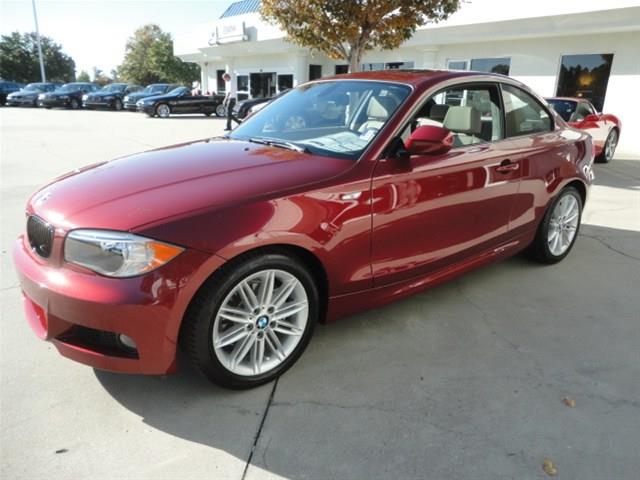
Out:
{"x": 19, "y": 59}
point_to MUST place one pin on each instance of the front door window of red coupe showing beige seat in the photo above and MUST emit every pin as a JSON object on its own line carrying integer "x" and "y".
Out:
{"x": 471, "y": 112}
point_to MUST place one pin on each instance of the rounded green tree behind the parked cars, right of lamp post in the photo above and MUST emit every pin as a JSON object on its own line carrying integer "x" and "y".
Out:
{"x": 149, "y": 59}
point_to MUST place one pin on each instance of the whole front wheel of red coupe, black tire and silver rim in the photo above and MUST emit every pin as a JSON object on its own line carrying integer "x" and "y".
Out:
{"x": 251, "y": 321}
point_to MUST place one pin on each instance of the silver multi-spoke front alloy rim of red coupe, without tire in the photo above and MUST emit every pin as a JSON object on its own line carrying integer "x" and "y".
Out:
{"x": 260, "y": 322}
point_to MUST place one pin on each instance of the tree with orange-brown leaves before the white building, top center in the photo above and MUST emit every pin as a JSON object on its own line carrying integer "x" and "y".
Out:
{"x": 345, "y": 30}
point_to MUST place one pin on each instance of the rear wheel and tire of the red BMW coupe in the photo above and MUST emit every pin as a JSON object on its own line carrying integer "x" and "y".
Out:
{"x": 559, "y": 228}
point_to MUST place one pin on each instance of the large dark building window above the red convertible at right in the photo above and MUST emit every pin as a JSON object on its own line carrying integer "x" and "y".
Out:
{"x": 585, "y": 76}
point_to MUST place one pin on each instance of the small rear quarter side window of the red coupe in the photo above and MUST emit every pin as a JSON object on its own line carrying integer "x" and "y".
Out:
{"x": 524, "y": 115}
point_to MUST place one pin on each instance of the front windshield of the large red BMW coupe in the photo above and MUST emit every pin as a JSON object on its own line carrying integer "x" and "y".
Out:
{"x": 332, "y": 118}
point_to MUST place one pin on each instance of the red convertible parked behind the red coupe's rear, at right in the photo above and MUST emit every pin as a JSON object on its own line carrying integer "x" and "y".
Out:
{"x": 603, "y": 127}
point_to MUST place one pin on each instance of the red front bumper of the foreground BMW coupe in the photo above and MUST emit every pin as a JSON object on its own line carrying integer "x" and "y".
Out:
{"x": 62, "y": 304}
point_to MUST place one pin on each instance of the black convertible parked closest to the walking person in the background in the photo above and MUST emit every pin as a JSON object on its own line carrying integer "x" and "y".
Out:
{"x": 178, "y": 101}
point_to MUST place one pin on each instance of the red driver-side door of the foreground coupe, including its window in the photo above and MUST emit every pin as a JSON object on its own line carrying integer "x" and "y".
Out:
{"x": 431, "y": 211}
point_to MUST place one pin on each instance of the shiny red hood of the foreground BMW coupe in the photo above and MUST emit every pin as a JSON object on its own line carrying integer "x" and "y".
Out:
{"x": 176, "y": 181}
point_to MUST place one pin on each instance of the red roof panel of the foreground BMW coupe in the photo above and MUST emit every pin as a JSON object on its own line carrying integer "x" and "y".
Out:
{"x": 413, "y": 77}
